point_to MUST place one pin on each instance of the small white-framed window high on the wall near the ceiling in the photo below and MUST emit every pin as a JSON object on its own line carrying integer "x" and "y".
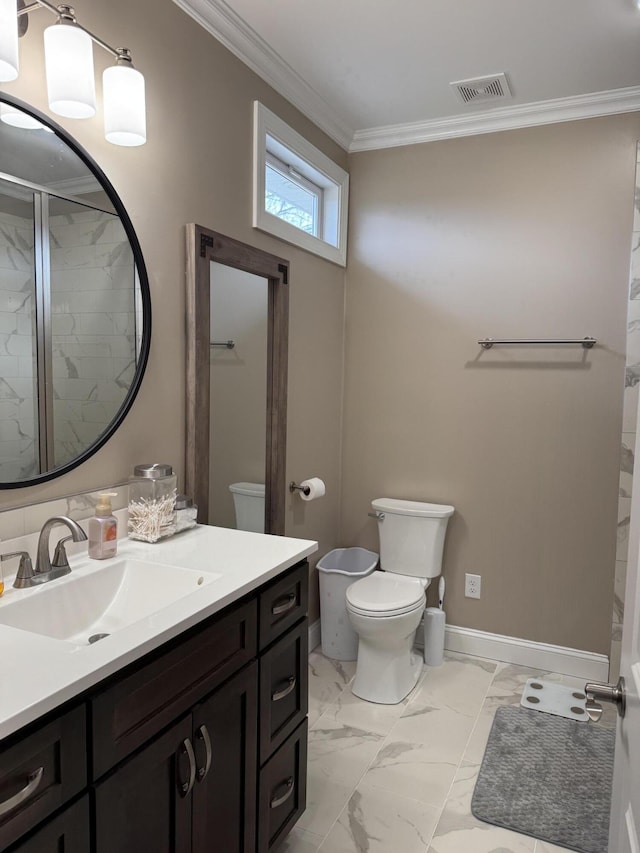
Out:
{"x": 299, "y": 194}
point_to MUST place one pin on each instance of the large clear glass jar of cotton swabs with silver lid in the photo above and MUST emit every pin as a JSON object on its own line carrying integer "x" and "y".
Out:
{"x": 152, "y": 498}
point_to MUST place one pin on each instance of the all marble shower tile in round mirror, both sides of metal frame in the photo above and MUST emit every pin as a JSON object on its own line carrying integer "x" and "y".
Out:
{"x": 93, "y": 332}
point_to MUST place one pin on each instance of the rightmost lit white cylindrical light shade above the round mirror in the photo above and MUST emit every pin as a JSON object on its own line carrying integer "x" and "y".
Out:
{"x": 125, "y": 120}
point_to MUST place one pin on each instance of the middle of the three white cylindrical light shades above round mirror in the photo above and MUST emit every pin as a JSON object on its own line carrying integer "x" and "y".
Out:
{"x": 68, "y": 55}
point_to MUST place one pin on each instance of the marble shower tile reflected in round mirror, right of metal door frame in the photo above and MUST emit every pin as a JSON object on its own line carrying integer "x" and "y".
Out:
{"x": 93, "y": 324}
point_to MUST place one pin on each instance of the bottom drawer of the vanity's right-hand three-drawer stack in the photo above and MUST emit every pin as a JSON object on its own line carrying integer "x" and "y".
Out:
{"x": 283, "y": 790}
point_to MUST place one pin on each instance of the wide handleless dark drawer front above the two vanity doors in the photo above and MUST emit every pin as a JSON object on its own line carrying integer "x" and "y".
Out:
{"x": 139, "y": 705}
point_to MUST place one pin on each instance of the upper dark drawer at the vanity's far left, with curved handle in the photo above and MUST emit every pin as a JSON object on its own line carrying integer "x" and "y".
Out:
{"x": 41, "y": 772}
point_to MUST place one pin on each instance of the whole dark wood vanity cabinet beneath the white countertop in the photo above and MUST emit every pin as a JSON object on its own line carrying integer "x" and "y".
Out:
{"x": 199, "y": 747}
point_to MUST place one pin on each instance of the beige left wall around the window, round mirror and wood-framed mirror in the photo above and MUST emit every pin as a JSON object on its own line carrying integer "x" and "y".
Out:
{"x": 196, "y": 167}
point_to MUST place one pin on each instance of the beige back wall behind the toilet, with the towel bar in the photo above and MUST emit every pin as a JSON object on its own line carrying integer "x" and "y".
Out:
{"x": 522, "y": 234}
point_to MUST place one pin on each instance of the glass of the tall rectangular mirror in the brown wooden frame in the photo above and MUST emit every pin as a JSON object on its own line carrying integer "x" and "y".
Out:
{"x": 238, "y": 423}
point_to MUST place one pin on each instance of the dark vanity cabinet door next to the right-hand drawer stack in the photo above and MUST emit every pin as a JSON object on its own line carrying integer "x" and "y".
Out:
{"x": 225, "y": 741}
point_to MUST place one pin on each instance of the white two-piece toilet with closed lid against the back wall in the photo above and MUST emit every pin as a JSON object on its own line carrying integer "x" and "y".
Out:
{"x": 385, "y": 607}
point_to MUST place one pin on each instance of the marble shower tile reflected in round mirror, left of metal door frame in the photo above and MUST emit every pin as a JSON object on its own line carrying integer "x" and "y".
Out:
{"x": 18, "y": 391}
